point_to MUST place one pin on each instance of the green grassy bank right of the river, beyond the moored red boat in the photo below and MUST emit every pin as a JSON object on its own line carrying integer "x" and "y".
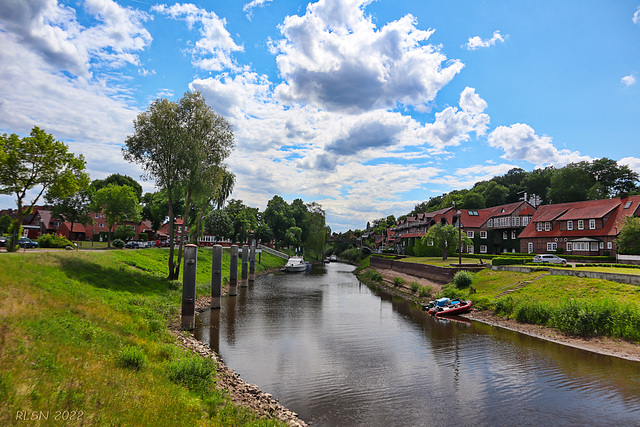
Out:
{"x": 577, "y": 306}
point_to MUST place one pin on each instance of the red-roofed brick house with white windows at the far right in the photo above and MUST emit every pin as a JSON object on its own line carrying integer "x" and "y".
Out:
{"x": 580, "y": 228}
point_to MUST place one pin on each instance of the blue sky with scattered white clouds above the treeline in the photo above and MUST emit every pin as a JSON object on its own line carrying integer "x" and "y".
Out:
{"x": 366, "y": 107}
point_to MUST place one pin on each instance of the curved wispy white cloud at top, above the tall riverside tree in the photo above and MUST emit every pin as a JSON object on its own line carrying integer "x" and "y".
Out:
{"x": 213, "y": 52}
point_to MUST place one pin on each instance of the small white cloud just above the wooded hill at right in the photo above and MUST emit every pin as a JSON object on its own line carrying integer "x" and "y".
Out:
{"x": 520, "y": 142}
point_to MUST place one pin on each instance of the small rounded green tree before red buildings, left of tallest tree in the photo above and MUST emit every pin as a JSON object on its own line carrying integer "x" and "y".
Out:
{"x": 119, "y": 204}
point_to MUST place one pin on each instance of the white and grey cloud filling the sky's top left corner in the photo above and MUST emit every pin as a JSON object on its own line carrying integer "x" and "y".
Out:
{"x": 52, "y": 31}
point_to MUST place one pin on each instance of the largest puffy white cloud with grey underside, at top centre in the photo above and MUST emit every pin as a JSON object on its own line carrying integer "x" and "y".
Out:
{"x": 335, "y": 58}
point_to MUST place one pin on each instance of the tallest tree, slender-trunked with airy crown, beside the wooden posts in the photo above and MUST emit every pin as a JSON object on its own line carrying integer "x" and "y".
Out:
{"x": 179, "y": 146}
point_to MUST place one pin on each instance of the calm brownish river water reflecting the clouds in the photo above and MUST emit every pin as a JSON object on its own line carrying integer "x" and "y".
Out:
{"x": 341, "y": 354}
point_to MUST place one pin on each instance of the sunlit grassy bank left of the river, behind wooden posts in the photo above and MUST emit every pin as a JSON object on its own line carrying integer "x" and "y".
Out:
{"x": 84, "y": 335}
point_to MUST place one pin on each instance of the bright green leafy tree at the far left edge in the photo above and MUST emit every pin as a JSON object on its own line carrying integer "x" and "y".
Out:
{"x": 37, "y": 162}
